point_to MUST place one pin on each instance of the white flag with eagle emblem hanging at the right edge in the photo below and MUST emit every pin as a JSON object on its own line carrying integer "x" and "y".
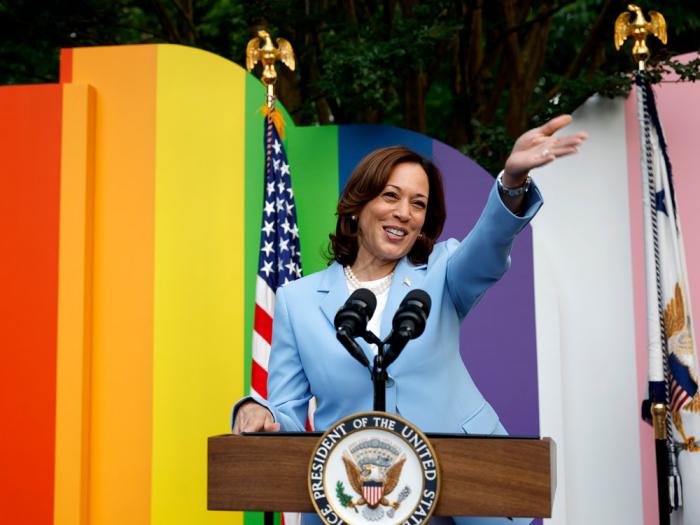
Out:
{"x": 673, "y": 363}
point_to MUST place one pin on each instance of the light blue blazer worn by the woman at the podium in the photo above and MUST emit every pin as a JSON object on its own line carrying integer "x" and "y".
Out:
{"x": 428, "y": 383}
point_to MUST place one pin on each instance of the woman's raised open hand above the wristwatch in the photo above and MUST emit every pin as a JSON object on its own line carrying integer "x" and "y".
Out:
{"x": 538, "y": 147}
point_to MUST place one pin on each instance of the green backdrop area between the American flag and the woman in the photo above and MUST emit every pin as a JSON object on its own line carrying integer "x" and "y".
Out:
{"x": 313, "y": 158}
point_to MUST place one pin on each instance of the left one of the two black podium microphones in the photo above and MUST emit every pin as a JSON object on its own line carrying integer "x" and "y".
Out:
{"x": 351, "y": 321}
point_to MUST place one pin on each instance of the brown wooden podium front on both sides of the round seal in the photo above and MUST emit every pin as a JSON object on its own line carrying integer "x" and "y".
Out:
{"x": 481, "y": 476}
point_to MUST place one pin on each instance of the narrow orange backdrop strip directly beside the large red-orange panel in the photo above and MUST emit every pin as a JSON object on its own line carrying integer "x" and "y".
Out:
{"x": 74, "y": 338}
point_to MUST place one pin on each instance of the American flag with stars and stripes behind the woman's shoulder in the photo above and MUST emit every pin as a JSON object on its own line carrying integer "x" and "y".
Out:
{"x": 280, "y": 256}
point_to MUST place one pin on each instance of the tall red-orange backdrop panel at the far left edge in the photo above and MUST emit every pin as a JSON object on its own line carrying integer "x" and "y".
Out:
{"x": 30, "y": 132}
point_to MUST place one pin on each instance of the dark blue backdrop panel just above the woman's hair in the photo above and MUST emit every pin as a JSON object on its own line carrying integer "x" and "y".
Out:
{"x": 357, "y": 140}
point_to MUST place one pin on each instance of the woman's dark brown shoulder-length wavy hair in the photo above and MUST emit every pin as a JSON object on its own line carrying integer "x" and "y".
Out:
{"x": 367, "y": 181}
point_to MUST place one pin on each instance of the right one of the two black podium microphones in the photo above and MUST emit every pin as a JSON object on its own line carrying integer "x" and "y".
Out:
{"x": 409, "y": 323}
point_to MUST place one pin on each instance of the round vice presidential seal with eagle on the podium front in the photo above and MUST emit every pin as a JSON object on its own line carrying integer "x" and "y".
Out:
{"x": 374, "y": 468}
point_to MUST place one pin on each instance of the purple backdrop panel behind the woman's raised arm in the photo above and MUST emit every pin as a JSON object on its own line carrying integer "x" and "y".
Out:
{"x": 498, "y": 341}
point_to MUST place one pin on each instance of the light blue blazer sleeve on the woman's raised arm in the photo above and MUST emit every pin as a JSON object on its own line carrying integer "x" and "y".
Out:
{"x": 483, "y": 256}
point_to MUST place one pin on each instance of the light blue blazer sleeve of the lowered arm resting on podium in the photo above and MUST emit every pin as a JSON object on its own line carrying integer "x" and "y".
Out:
{"x": 288, "y": 388}
